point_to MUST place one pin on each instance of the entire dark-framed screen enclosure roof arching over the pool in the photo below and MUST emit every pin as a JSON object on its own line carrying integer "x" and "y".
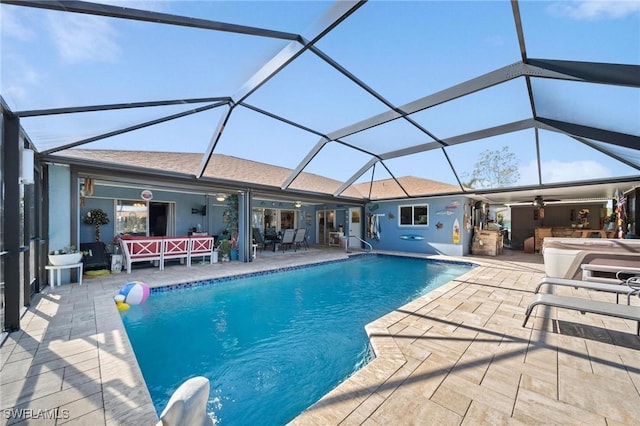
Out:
{"x": 455, "y": 67}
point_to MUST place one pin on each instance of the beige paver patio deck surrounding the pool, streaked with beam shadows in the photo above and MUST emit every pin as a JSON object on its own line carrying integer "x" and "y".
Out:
{"x": 457, "y": 355}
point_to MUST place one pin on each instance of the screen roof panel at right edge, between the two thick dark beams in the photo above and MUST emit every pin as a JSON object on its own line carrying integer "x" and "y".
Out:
{"x": 615, "y": 108}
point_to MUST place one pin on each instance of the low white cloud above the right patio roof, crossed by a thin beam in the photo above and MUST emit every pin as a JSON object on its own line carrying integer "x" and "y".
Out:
{"x": 558, "y": 171}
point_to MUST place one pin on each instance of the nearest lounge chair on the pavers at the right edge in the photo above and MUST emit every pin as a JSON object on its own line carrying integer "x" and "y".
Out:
{"x": 585, "y": 305}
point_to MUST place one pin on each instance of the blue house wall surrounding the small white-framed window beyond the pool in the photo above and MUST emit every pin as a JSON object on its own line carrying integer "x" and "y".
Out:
{"x": 434, "y": 238}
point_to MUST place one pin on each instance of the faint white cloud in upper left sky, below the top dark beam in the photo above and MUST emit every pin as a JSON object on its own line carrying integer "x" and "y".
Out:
{"x": 80, "y": 38}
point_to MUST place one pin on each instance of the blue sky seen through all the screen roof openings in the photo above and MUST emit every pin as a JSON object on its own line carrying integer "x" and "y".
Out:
{"x": 403, "y": 50}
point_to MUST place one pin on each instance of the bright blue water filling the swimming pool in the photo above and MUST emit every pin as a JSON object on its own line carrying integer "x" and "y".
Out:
{"x": 272, "y": 345}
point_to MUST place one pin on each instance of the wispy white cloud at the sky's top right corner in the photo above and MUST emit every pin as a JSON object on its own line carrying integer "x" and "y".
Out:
{"x": 595, "y": 9}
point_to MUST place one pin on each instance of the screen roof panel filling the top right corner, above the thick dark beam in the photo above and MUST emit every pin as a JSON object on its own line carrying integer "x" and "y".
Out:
{"x": 594, "y": 31}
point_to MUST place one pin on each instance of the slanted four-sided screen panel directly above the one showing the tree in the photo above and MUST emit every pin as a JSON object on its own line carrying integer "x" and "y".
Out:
{"x": 509, "y": 102}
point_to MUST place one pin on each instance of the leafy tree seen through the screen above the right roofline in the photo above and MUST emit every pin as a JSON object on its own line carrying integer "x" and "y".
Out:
{"x": 495, "y": 169}
